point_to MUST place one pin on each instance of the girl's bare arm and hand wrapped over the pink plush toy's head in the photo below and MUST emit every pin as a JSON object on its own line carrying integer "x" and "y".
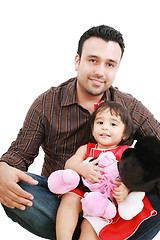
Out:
{"x": 88, "y": 170}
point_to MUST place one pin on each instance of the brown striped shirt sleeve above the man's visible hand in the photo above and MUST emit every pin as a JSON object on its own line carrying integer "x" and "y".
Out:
{"x": 26, "y": 147}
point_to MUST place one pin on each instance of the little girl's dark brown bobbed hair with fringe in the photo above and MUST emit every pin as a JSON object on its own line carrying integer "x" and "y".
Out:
{"x": 118, "y": 110}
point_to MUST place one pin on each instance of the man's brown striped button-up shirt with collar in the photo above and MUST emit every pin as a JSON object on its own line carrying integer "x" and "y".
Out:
{"x": 59, "y": 125}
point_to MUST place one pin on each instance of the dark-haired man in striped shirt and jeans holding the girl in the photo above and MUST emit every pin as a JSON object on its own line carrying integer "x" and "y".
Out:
{"x": 58, "y": 122}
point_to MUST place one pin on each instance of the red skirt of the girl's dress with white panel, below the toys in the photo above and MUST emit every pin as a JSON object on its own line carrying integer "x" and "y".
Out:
{"x": 118, "y": 228}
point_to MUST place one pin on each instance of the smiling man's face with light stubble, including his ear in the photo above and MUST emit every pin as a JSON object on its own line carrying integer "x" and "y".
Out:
{"x": 97, "y": 67}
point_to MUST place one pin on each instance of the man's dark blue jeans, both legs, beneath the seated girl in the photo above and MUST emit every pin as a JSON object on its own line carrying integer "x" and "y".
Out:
{"x": 40, "y": 218}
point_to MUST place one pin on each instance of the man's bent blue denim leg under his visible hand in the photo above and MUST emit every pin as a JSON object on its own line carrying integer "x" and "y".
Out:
{"x": 42, "y": 215}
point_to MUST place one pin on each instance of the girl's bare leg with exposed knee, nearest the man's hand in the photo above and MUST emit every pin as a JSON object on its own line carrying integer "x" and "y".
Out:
{"x": 67, "y": 216}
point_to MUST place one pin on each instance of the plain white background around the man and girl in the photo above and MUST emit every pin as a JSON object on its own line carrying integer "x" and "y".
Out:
{"x": 38, "y": 43}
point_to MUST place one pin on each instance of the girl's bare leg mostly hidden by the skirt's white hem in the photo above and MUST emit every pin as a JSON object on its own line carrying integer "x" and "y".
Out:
{"x": 87, "y": 231}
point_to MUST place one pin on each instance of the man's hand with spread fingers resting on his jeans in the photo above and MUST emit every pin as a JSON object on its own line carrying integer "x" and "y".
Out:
{"x": 11, "y": 194}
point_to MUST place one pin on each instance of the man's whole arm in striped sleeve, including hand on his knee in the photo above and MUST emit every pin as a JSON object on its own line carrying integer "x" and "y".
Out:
{"x": 20, "y": 155}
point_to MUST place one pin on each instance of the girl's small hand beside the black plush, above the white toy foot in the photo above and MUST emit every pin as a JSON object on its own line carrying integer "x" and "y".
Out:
{"x": 121, "y": 192}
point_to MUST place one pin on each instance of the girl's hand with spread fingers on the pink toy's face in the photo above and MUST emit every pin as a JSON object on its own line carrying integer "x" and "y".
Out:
{"x": 90, "y": 171}
